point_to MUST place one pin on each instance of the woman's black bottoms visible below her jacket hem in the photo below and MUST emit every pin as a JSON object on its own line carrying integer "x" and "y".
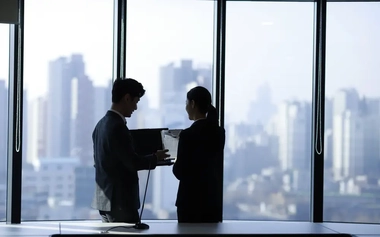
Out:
{"x": 194, "y": 215}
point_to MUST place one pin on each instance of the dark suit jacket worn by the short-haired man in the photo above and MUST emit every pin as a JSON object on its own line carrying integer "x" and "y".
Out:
{"x": 116, "y": 165}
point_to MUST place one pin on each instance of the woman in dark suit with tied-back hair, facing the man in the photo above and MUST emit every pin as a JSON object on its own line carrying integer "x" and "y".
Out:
{"x": 199, "y": 164}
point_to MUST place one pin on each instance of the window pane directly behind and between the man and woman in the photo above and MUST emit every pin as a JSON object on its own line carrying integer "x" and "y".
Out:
{"x": 169, "y": 49}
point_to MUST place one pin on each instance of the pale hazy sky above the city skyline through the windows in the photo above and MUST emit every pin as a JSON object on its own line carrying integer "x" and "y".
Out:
{"x": 266, "y": 42}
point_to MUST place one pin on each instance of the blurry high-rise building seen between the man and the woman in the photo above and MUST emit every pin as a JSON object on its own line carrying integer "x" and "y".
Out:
{"x": 175, "y": 80}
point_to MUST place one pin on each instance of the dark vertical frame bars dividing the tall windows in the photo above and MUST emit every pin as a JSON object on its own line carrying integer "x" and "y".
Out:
{"x": 15, "y": 102}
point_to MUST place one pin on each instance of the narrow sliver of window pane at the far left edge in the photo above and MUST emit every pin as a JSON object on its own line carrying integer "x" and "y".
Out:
{"x": 4, "y": 72}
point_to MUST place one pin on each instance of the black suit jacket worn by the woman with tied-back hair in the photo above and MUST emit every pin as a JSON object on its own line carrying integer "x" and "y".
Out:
{"x": 199, "y": 166}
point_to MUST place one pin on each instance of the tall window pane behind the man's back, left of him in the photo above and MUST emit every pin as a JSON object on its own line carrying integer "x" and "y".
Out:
{"x": 68, "y": 69}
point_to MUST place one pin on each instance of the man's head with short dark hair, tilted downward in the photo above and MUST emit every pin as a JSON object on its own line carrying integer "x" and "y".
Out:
{"x": 126, "y": 93}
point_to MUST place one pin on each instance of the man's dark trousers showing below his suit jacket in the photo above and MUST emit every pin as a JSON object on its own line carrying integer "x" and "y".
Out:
{"x": 120, "y": 215}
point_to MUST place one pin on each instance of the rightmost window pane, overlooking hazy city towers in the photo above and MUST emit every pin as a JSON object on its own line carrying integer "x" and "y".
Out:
{"x": 352, "y": 127}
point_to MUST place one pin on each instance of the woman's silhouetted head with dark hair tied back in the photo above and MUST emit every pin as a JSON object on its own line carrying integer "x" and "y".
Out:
{"x": 199, "y": 104}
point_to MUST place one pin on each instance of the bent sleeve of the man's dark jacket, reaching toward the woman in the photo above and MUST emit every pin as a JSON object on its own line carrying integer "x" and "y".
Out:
{"x": 126, "y": 153}
